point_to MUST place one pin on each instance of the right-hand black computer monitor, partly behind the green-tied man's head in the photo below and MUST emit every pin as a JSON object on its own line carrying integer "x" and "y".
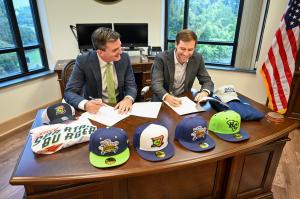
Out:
{"x": 132, "y": 34}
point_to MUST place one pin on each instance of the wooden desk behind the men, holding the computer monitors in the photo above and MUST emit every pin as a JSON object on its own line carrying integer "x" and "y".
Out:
{"x": 141, "y": 69}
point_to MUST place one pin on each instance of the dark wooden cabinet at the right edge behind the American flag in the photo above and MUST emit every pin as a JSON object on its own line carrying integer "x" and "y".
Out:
{"x": 293, "y": 110}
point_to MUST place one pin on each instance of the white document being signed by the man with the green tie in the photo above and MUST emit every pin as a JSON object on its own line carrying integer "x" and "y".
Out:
{"x": 106, "y": 115}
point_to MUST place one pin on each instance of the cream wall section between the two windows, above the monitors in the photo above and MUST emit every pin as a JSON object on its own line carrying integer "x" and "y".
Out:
{"x": 61, "y": 14}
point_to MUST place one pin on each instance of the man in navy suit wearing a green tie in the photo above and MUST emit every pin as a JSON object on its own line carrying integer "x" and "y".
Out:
{"x": 103, "y": 76}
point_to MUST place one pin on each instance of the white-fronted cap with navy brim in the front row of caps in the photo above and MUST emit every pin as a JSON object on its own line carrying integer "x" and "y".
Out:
{"x": 151, "y": 142}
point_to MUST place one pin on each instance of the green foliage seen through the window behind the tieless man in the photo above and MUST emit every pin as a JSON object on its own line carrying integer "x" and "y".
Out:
{"x": 212, "y": 21}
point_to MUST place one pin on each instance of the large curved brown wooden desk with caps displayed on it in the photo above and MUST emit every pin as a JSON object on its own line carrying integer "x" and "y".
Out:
{"x": 231, "y": 170}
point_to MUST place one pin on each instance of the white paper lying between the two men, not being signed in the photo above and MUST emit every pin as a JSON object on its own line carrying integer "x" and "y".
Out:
{"x": 146, "y": 109}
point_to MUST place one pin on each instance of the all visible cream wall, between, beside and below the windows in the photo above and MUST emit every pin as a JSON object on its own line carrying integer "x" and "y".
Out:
{"x": 57, "y": 15}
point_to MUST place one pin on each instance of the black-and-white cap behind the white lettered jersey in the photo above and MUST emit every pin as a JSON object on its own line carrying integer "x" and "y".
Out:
{"x": 58, "y": 113}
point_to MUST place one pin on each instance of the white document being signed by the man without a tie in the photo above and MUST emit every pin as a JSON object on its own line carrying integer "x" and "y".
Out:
{"x": 187, "y": 106}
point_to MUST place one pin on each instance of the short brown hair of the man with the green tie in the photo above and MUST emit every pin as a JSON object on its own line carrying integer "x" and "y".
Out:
{"x": 103, "y": 35}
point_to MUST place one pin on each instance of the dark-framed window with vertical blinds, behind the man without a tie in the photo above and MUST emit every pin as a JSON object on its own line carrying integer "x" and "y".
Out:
{"x": 218, "y": 24}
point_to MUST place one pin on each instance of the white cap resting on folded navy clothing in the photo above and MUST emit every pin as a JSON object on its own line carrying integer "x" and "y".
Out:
{"x": 226, "y": 93}
